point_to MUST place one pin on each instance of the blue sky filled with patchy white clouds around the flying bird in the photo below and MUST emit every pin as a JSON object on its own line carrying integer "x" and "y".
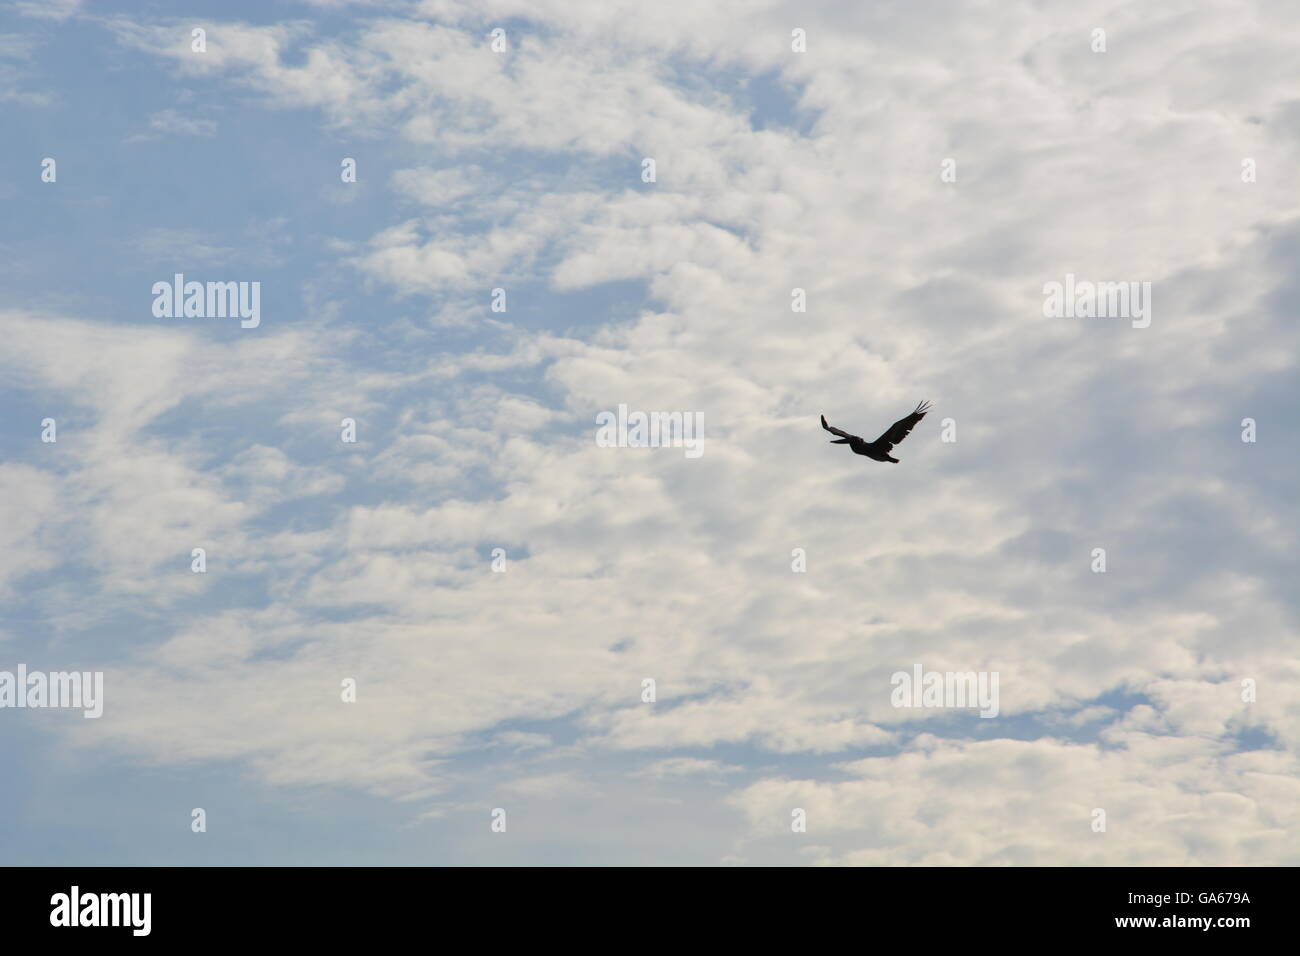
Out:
{"x": 430, "y": 646}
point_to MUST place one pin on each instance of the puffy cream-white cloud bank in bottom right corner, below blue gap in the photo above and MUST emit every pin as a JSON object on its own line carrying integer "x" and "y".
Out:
{"x": 1168, "y": 802}
